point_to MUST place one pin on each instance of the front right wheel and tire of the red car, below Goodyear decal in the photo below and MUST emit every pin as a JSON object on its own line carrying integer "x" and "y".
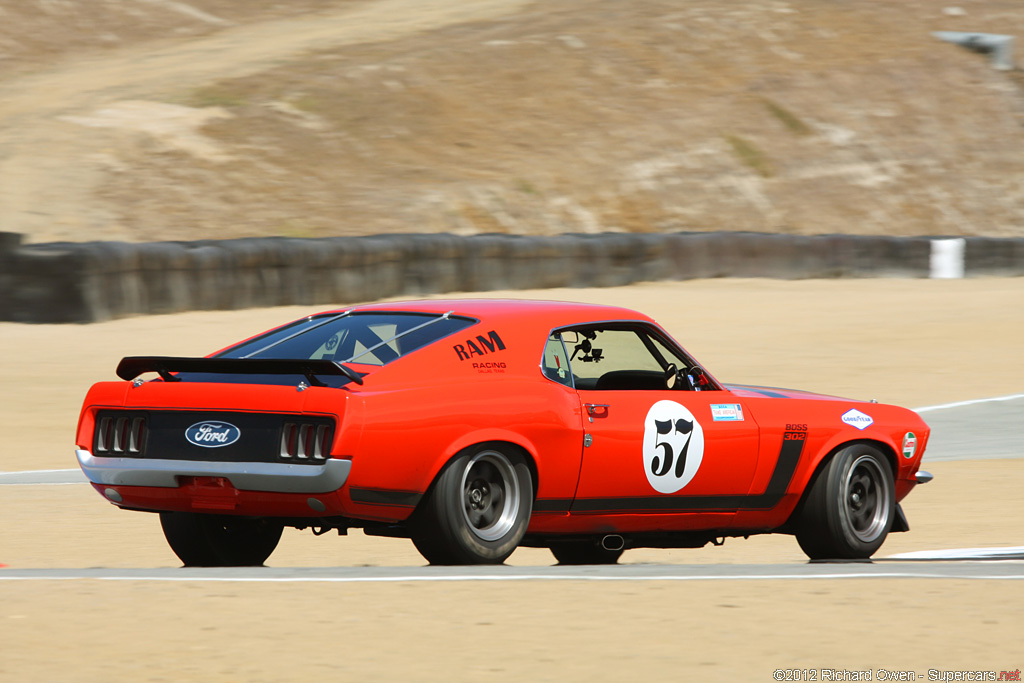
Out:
{"x": 850, "y": 506}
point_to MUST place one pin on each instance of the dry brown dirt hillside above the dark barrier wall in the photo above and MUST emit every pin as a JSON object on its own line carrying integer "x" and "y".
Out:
{"x": 159, "y": 120}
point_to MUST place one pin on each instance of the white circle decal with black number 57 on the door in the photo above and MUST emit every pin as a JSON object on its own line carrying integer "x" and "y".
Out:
{"x": 673, "y": 447}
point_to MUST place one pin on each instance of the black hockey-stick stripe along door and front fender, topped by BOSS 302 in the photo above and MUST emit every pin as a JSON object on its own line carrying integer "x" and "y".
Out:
{"x": 786, "y": 467}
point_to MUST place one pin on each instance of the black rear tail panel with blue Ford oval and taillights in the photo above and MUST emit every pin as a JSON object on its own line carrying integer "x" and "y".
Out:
{"x": 204, "y": 436}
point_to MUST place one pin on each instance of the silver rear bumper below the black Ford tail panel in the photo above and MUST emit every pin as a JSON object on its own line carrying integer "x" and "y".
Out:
{"x": 277, "y": 478}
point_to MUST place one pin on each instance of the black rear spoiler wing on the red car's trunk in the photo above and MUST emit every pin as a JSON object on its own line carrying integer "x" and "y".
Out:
{"x": 133, "y": 367}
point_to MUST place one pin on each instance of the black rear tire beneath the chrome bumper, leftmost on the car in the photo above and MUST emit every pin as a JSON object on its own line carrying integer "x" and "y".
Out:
{"x": 220, "y": 541}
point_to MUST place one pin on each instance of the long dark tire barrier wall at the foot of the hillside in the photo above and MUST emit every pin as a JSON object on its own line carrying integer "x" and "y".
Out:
{"x": 98, "y": 281}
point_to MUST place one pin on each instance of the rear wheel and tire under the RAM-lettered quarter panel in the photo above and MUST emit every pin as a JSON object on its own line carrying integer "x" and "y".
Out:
{"x": 479, "y": 509}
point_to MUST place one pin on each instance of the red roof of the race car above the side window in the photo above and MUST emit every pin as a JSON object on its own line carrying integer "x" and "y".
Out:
{"x": 546, "y": 314}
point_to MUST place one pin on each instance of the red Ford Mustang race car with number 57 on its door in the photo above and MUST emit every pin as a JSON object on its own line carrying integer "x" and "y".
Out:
{"x": 477, "y": 426}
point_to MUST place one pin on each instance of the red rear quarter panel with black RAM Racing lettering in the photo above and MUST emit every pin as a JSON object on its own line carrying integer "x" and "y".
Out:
{"x": 419, "y": 412}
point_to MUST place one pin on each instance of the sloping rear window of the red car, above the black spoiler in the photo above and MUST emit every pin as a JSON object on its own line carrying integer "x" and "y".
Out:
{"x": 370, "y": 338}
